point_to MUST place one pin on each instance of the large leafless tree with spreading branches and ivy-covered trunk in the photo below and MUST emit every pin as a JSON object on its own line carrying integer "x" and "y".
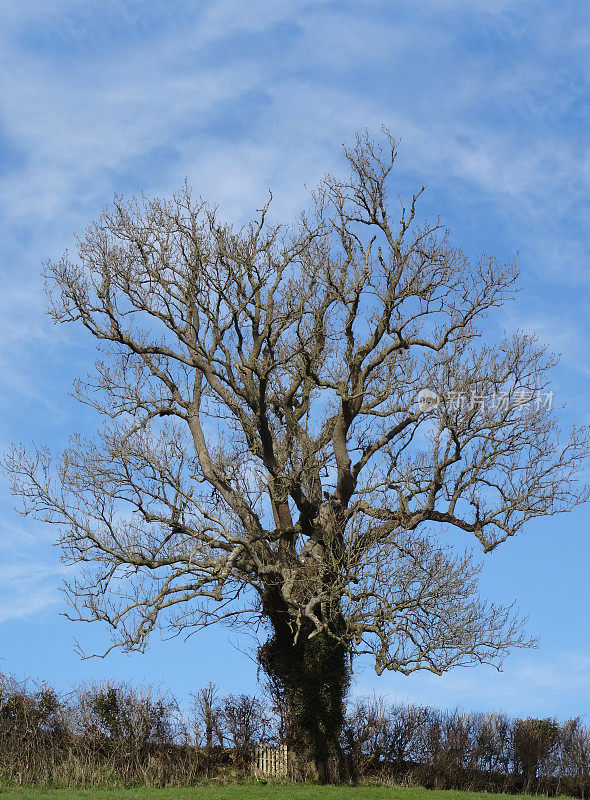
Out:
{"x": 270, "y": 453}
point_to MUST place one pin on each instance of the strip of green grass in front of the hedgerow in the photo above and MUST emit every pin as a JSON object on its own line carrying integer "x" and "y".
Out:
{"x": 250, "y": 792}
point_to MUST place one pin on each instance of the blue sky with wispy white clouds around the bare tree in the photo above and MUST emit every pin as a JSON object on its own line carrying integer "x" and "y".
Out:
{"x": 490, "y": 99}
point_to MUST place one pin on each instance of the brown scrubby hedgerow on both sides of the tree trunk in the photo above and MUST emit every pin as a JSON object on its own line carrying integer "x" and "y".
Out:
{"x": 116, "y": 734}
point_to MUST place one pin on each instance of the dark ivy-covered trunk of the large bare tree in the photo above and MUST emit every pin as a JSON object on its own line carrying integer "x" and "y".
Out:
{"x": 313, "y": 676}
